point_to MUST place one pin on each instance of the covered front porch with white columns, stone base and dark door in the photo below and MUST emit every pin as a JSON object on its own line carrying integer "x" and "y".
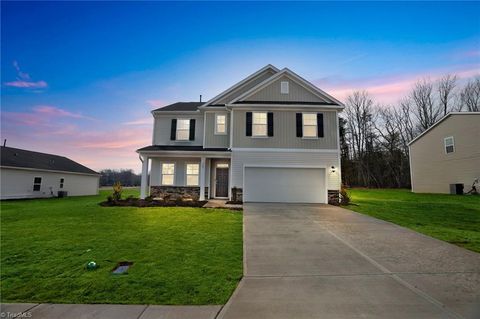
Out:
{"x": 198, "y": 175}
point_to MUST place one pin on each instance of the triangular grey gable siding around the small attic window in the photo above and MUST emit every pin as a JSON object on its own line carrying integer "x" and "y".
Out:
{"x": 297, "y": 93}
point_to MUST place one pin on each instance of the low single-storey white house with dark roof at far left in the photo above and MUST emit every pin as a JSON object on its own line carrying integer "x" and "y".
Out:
{"x": 27, "y": 174}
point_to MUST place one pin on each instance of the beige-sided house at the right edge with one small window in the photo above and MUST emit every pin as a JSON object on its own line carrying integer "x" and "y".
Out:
{"x": 447, "y": 153}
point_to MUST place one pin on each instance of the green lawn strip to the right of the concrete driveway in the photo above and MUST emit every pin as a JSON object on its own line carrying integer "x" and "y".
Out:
{"x": 452, "y": 218}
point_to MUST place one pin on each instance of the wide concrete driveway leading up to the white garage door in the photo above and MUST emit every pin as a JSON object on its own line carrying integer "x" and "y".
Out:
{"x": 320, "y": 261}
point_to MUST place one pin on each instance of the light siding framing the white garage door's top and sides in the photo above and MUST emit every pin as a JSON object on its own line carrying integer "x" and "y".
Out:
{"x": 240, "y": 159}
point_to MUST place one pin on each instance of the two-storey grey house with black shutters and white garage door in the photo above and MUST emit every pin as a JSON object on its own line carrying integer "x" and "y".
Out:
{"x": 272, "y": 137}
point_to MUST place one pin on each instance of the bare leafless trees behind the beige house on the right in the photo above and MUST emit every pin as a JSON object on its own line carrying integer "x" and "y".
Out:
{"x": 374, "y": 137}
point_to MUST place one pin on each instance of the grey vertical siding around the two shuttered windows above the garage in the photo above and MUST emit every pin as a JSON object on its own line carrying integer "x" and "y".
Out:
{"x": 284, "y": 132}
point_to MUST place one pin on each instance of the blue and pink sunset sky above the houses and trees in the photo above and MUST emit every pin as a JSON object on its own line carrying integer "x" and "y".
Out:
{"x": 80, "y": 79}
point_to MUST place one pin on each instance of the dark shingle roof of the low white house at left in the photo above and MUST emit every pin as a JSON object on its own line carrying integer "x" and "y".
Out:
{"x": 15, "y": 157}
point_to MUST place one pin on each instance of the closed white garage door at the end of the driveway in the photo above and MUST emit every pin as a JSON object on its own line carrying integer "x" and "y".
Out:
{"x": 284, "y": 184}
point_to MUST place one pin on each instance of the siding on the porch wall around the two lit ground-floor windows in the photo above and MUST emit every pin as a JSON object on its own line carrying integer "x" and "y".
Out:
{"x": 180, "y": 170}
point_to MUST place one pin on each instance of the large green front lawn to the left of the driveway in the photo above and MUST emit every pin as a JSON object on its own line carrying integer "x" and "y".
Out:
{"x": 181, "y": 255}
